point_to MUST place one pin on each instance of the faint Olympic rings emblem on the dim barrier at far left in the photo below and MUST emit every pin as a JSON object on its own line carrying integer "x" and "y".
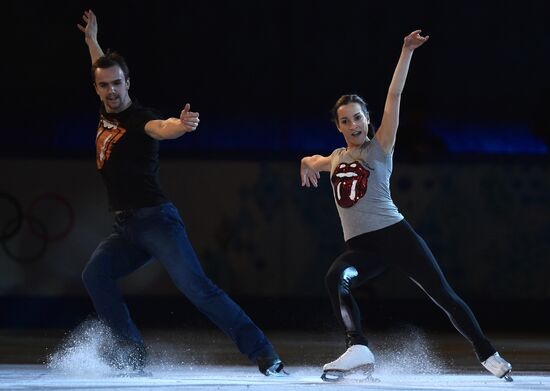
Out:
{"x": 43, "y": 209}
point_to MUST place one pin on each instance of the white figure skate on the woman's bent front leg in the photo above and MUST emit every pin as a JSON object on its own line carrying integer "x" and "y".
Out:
{"x": 358, "y": 358}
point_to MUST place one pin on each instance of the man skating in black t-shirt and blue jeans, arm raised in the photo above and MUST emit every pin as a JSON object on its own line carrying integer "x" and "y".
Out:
{"x": 147, "y": 224}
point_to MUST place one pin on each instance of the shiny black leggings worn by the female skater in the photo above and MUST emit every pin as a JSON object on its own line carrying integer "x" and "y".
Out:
{"x": 370, "y": 254}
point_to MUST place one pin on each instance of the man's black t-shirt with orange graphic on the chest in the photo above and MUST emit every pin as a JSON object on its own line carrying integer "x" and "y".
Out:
{"x": 127, "y": 158}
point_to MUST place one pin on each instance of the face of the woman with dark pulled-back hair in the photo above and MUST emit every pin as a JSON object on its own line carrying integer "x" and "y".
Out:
{"x": 353, "y": 124}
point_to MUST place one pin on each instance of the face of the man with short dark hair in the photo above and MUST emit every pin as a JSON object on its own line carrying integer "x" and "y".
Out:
{"x": 112, "y": 88}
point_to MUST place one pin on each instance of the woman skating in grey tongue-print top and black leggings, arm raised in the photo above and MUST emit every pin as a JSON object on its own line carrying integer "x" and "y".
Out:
{"x": 377, "y": 236}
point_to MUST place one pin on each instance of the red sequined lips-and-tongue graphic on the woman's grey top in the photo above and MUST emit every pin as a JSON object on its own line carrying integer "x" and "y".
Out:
{"x": 350, "y": 183}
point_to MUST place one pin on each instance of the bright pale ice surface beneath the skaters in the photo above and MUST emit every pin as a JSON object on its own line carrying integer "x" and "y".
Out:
{"x": 40, "y": 377}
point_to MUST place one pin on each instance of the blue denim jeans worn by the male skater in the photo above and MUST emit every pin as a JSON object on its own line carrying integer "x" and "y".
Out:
{"x": 158, "y": 232}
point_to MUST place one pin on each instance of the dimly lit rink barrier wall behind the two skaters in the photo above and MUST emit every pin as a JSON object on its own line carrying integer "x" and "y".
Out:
{"x": 257, "y": 232}
